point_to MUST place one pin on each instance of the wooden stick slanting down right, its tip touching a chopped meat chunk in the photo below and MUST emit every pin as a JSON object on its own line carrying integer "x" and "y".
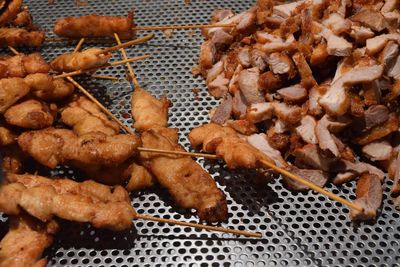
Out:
{"x": 311, "y": 185}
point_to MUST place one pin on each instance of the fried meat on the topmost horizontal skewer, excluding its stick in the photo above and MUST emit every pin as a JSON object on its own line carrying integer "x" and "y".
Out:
{"x": 95, "y": 26}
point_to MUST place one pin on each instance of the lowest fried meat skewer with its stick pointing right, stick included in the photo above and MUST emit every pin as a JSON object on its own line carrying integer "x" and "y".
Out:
{"x": 88, "y": 201}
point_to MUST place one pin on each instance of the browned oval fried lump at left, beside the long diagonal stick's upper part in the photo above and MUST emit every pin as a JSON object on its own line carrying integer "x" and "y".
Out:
{"x": 44, "y": 87}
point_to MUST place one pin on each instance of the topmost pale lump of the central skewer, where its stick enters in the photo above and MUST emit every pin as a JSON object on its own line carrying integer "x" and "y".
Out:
{"x": 156, "y": 110}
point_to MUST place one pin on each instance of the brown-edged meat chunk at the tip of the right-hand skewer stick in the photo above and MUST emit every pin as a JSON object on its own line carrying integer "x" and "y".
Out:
{"x": 369, "y": 196}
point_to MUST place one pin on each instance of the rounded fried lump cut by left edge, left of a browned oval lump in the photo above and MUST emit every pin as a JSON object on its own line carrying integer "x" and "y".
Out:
{"x": 11, "y": 90}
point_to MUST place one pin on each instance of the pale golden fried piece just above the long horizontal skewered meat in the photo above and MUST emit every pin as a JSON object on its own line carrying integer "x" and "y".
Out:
{"x": 84, "y": 117}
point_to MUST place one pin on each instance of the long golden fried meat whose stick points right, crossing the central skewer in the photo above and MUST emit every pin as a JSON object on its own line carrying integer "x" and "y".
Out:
{"x": 52, "y": 147}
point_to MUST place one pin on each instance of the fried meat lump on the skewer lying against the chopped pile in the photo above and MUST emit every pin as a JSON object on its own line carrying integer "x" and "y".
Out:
{"x": 225, "y": 143}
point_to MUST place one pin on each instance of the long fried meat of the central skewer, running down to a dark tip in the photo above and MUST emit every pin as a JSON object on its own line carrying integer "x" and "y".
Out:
{"x": 189, "y": 184}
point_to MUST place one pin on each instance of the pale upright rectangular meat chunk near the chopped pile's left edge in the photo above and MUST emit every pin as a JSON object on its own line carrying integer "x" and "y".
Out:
{"x": 248, "y": 84}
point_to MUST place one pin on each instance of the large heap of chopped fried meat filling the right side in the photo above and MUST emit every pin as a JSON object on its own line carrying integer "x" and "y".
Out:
{"x": 314, "y": 85}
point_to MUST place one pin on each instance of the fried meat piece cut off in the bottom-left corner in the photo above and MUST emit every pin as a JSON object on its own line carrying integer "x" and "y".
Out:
{"x": 25, "y": 242}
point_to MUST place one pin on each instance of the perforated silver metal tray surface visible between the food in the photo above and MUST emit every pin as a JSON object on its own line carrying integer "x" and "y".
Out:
{"x": 299, "y": 229}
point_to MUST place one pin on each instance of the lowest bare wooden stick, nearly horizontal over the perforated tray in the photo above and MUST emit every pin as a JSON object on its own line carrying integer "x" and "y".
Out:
{"x": 201, "y": 226}
